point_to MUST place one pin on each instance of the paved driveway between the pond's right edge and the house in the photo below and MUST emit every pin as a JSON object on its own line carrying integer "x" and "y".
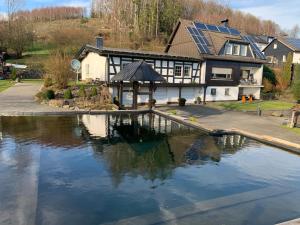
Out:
{"x": 267, "y": 129}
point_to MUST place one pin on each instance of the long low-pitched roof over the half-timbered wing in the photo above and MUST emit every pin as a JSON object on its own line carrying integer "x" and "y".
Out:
{"x": 129, "y": 52}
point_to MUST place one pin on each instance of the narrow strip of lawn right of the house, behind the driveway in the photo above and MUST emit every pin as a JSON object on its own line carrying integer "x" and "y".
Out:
{"x": 263, "y": 105}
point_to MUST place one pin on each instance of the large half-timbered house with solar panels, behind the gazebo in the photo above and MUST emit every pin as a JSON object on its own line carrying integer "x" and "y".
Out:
{"x": 215, "y": 63}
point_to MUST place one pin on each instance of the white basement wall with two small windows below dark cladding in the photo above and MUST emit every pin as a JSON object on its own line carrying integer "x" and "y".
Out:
{"x": 220, "y": 95}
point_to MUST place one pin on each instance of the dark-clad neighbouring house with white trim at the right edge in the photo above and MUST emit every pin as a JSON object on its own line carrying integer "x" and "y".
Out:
{"x": 277, "y": 51}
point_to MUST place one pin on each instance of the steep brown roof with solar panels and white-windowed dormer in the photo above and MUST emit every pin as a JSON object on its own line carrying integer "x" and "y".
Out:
{"x": 209, "y": 40}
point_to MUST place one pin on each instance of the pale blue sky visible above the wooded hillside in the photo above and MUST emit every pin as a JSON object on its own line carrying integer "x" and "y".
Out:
{"x": 284, "y": 12}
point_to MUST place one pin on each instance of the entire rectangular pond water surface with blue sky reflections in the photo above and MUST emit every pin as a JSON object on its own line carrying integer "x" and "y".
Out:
{"x": 139, "y": 169}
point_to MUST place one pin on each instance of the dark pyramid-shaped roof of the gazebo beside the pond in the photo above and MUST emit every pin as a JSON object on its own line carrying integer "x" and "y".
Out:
{"x": 138, "y": 71}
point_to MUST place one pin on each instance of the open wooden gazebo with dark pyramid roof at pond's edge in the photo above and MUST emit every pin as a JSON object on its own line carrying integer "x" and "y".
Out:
{"x": 135, "y": 73}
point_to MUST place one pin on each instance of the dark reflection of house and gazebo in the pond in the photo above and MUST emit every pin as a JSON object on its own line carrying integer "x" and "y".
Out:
{"x": 153, "y": 146}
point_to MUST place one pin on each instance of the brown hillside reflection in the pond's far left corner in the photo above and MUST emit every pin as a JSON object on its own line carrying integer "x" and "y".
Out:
{"x": 52, "y": 131}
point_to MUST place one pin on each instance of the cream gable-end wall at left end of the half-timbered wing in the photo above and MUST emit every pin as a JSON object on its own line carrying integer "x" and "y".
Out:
{"x": 94, "y": 66}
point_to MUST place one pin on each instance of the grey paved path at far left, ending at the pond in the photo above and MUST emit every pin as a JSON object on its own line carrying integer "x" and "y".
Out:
{"x": 19, "y": 99}
